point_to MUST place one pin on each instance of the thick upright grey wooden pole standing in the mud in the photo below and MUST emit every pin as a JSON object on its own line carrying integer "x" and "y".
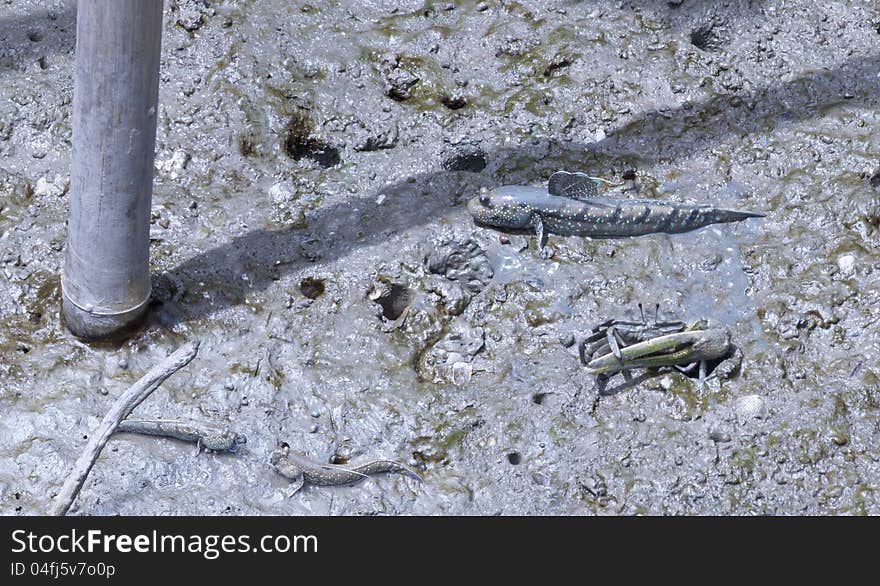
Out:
{"x": 106, "y": 275}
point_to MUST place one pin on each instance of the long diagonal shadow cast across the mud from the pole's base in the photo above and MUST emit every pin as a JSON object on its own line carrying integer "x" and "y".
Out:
{"x": 228, "y": 273}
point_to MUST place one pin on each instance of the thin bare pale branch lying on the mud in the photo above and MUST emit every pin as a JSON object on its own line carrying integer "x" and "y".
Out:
{"x": 119, "y": 411}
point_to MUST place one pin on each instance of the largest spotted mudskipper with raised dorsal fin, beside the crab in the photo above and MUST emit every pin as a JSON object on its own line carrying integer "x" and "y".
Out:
{"x": 570, "y": 206}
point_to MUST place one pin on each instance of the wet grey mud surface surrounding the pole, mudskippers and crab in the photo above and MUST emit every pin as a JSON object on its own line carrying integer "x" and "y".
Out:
{"x": 313, "y": 162}
